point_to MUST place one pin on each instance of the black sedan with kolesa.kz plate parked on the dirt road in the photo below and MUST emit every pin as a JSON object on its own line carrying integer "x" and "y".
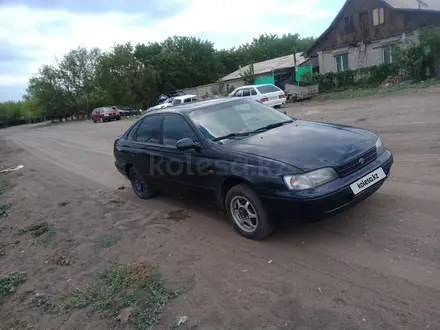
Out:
{"x": 253, "y": 159}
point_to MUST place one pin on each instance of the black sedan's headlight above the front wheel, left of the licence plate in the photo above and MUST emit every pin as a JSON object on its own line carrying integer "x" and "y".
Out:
{"x": 311, "y": 179}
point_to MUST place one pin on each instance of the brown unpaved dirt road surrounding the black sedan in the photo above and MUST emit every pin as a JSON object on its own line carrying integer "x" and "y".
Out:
{"x": 376, "y": 266}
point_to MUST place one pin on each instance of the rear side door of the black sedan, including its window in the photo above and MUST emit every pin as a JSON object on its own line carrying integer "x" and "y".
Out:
{"x": 146, "y": 149}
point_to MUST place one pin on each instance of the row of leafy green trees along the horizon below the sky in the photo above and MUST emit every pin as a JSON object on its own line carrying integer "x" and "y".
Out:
{"x": 135, "y": 75}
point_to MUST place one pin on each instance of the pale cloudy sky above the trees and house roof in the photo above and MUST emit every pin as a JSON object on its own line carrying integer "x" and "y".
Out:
{"x": 34, "y": 32}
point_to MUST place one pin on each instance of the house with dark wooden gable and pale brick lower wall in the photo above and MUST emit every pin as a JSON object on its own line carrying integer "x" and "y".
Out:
{"x": 363, "y": 31}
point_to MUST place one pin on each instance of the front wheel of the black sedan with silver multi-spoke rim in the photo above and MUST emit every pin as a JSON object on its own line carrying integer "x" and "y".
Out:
{"x": 240, "y": 195}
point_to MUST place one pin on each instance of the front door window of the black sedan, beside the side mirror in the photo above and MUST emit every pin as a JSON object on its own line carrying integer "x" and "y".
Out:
{"x": 176, "y": 128}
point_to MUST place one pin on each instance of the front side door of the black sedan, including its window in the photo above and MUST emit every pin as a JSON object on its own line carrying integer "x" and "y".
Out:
{"x": 186, "y": 170}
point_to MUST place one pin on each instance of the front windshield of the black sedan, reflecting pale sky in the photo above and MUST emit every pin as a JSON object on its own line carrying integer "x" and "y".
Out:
{"x": 239, "y": 117}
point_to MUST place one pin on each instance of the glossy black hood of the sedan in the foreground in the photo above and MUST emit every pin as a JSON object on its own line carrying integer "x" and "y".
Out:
{"x": 307, "y": 145}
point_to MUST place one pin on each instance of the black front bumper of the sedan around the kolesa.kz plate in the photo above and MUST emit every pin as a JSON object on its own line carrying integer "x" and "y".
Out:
{"x": 330, "y": 198}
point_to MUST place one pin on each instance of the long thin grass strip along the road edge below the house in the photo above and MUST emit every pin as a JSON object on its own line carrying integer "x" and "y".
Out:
{"x": 365, "y": 92}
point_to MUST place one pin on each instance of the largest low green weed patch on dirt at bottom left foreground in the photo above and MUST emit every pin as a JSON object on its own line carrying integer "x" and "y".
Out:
{"x": 136, "y": 294}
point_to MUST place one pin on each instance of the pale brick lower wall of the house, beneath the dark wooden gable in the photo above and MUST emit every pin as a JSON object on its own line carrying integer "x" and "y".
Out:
{"x": 373, "y": 54}
